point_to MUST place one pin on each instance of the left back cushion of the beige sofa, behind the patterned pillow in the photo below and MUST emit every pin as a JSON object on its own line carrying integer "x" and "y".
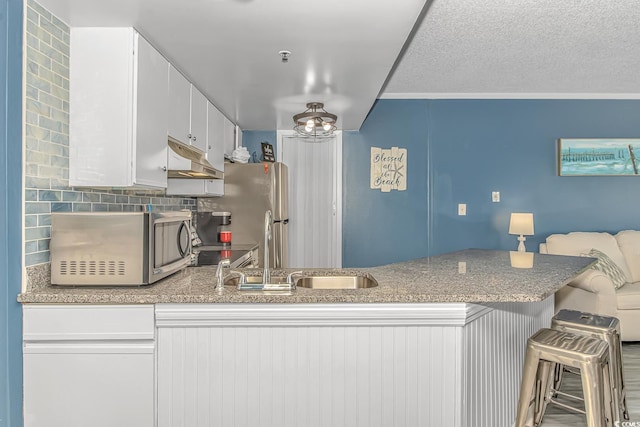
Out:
{"x": 579, "y": 243}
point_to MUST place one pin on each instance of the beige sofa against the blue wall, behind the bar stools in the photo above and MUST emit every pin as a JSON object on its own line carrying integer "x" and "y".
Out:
{"x": 594, "y": 291}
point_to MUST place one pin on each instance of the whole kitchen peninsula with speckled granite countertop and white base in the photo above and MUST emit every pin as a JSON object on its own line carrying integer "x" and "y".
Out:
{"x": 438, "y": 341}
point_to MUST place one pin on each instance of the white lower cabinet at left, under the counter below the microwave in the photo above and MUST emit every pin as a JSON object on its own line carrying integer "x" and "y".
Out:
{"x": 89, "y": 365}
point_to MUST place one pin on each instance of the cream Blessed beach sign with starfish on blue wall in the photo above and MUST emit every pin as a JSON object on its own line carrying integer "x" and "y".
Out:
{"x": 389, "y": 169}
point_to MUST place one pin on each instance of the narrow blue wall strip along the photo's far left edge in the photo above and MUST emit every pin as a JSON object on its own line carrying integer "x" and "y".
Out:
{"x": 10, "y": 212}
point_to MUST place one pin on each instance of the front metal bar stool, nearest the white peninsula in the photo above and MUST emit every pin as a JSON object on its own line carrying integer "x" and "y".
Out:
{"x": 549, "y": 347}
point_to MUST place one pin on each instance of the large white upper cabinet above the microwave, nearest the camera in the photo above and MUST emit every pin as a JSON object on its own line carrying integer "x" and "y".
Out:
{"x": 118, "y": 109}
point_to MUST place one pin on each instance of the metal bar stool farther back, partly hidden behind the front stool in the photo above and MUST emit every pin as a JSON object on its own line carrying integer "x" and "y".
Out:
{"x": 605, "y": 328}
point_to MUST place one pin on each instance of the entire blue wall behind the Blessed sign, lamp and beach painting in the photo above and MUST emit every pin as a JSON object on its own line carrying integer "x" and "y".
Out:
{"x": 459, "y": 151}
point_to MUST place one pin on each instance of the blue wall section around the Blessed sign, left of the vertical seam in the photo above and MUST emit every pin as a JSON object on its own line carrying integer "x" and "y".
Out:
{"x": 381, "y": 228}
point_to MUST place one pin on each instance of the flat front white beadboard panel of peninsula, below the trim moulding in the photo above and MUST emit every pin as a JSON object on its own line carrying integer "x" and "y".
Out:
{"x": 305, "y": 376}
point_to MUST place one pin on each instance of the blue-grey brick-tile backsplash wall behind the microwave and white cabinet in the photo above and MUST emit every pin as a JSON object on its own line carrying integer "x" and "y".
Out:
{"x": 46, "y": 168}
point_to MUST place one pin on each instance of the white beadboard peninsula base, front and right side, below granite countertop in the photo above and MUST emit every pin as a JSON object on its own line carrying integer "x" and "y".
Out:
{"x": 418, "y": 370}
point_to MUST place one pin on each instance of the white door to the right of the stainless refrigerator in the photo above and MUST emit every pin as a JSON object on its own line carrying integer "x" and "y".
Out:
{"x": 315, "y": 199}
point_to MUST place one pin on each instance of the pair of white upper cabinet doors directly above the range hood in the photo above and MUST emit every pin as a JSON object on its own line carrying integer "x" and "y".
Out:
{"x": 187, "y": 112}
